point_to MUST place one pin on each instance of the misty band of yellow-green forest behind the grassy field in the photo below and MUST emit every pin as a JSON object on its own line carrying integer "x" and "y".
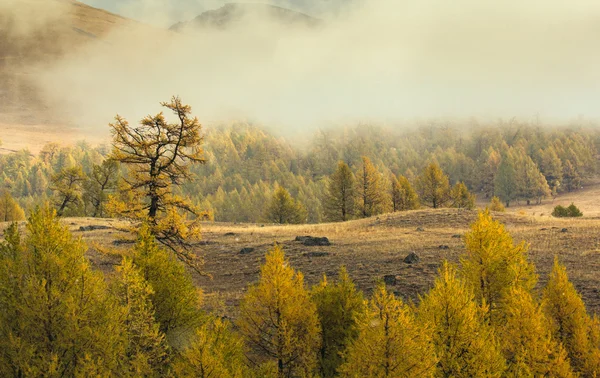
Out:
{"x": 246, "y": 166}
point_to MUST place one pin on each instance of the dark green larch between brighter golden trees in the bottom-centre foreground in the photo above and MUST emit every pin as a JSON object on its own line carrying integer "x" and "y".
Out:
{"x": 339, "y": 306}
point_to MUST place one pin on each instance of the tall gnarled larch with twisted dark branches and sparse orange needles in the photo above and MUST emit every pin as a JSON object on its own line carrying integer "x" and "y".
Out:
{"x": 157, "y": 154}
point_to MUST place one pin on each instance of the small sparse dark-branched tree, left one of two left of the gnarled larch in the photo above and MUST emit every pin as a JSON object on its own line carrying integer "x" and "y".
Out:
{"x": 67, "y": 186}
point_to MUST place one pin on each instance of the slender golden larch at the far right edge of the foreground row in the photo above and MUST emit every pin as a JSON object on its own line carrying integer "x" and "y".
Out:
{"x": 570, "y": 323}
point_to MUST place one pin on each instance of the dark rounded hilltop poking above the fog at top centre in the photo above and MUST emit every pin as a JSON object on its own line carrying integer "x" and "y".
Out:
{"x": 233, "y": 13}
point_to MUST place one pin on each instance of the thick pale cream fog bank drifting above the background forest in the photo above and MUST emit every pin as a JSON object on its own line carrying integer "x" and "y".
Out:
{"x": 379, "y": 60}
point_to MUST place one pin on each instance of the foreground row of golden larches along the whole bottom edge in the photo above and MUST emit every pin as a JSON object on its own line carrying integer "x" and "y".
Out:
{"x": 482, "y": 317}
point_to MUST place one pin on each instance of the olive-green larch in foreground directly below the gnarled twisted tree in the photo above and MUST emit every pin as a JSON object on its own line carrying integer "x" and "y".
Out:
{"x": 175, "y": 299}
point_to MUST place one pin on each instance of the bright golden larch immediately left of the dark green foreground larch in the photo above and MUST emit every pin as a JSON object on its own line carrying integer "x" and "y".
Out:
{"x": 279, "y": 321}
